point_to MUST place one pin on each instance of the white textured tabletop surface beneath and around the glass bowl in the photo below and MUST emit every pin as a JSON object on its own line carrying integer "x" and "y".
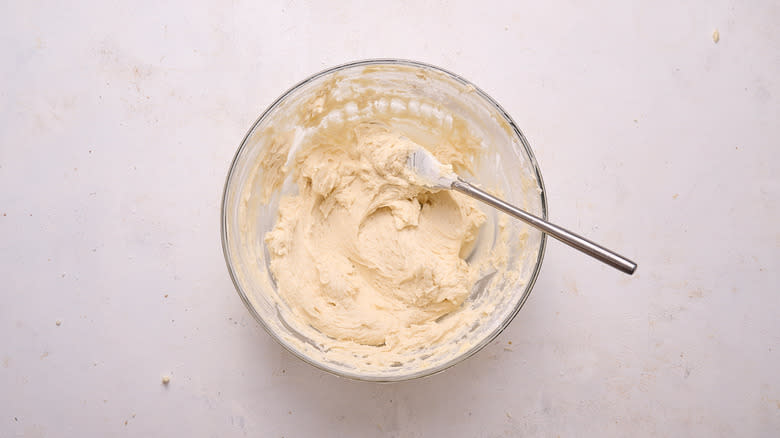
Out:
{"x": 117, "y": 125}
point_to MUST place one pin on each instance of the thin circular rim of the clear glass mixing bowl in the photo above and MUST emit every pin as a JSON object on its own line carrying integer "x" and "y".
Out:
{"x": 474, "y": 348}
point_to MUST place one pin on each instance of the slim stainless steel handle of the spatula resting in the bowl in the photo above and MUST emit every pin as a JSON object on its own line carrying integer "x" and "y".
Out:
{"x": 578, "y": 242}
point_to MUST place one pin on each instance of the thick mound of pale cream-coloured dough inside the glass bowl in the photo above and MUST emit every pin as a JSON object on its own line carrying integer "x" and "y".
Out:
{"x": 364, "y": 253}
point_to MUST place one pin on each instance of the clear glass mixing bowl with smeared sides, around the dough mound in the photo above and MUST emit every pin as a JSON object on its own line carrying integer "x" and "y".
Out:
{"x": 505, "y": 165}
